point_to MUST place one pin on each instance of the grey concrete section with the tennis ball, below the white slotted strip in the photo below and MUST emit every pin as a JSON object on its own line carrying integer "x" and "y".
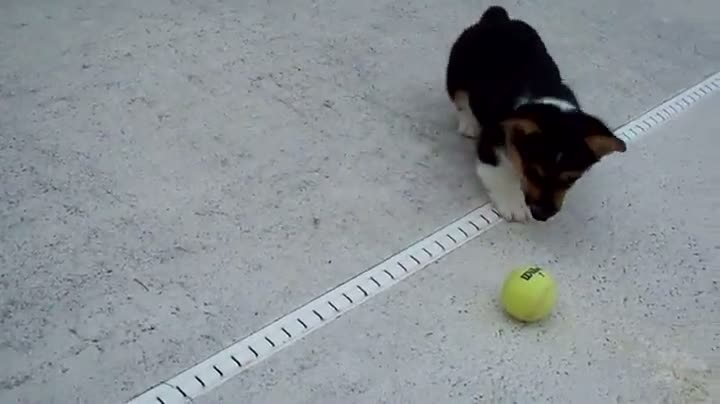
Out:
{"x": 636, "y": 256}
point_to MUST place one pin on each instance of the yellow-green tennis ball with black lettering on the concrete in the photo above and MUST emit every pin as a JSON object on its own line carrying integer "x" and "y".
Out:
{"x": 528, "y": 294}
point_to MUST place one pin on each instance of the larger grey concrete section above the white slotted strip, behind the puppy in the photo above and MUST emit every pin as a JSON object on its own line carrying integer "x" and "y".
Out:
{"x": 176, "y": 174}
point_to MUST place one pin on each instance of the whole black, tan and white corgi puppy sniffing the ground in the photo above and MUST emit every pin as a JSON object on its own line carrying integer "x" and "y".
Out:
{"x": 533, "y": 140}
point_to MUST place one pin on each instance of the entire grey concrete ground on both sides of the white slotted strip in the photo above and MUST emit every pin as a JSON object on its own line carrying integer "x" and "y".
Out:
{"x": 176, "y": 174}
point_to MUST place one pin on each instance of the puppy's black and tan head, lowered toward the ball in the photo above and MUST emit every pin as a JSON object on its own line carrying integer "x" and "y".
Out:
{"x": 551, "y": 149}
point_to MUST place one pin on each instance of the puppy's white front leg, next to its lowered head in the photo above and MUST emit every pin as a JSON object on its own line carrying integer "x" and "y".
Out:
{"x": 505, "y": 190}
